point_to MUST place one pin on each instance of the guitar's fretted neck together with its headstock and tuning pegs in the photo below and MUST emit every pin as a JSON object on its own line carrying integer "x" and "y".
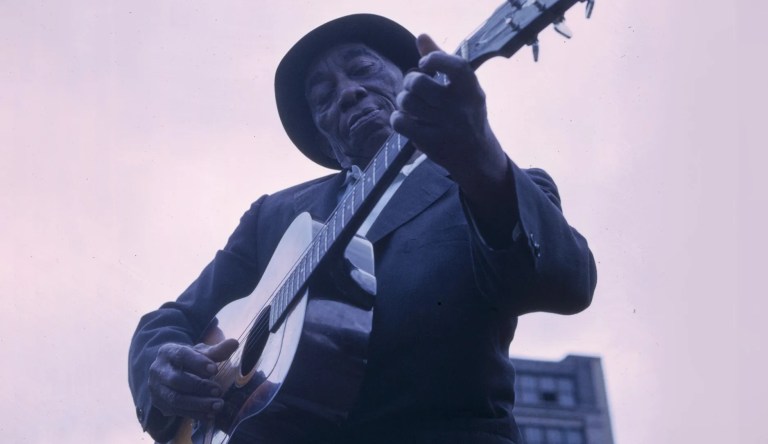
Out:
{"x": 514, "y": 24}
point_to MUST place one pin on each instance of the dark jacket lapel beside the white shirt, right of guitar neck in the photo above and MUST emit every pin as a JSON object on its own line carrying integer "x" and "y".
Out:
{"x": 422, "y": 187}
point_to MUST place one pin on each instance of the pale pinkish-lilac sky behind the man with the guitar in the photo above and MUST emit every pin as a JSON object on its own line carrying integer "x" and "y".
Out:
{"x": 133, "y": 135}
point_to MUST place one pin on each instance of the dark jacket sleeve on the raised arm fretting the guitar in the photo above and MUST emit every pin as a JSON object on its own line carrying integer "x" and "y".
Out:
{"x": 546, "y": 265}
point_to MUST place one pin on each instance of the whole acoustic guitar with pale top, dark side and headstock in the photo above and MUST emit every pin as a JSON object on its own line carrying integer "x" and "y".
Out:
{"x": 301, "y": 359}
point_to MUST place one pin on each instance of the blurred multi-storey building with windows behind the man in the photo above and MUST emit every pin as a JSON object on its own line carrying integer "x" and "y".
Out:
{"x": 562, "y": 402}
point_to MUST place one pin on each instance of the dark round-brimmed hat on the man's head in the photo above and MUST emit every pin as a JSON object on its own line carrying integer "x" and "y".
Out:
{"x": 380, "y": 34}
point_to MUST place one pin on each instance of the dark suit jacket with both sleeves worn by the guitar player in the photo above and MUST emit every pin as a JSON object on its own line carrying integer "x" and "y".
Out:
{"x": 446, "y": 309}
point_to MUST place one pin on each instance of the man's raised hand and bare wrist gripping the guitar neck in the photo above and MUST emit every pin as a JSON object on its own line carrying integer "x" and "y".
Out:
{"x": 449, "y": 122}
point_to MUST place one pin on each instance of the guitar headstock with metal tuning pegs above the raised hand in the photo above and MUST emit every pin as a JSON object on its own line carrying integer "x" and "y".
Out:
{"x": 514, "y": 24}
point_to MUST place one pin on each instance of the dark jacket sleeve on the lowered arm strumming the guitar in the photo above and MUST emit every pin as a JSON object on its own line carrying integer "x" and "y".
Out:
{"x": 232, "y": 274}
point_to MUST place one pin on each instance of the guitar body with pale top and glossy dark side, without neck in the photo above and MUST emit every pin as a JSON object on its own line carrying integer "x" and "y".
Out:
{"x": 301, "y": 378}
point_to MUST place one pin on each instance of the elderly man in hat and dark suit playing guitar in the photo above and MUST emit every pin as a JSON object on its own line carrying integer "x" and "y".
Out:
{"x": 465, "y": 245}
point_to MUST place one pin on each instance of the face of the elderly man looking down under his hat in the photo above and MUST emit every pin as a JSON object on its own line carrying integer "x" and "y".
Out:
{"x": 351, "y": 92}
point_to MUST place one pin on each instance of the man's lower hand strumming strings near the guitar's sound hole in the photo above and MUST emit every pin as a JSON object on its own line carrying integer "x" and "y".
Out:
{"x": 180, "y": 381}
